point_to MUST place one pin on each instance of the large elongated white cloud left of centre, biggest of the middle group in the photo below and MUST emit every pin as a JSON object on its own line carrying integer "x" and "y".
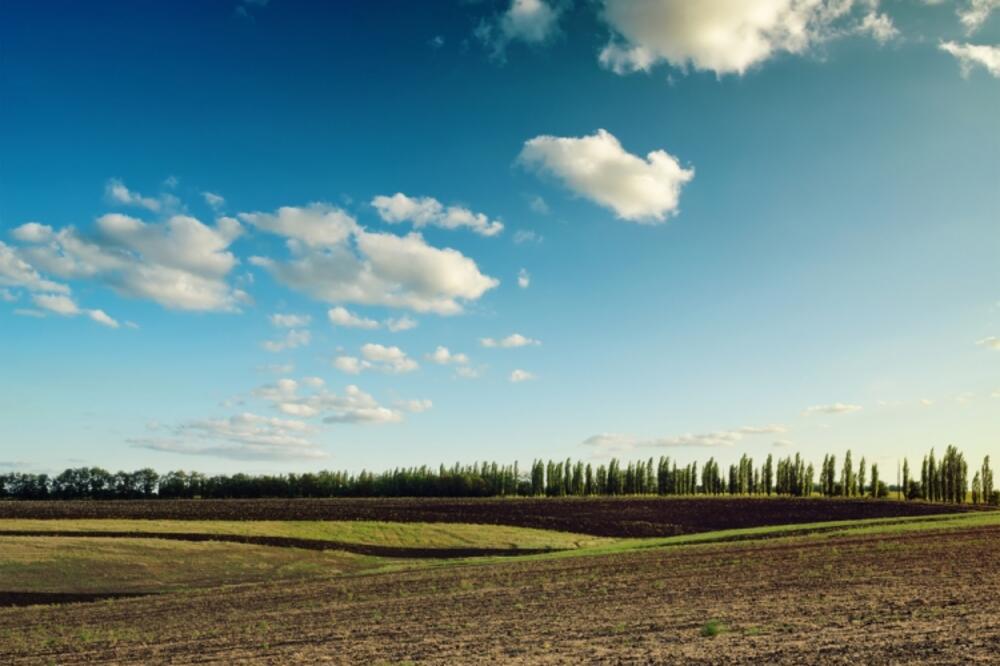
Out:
{"x": 335, "y": 260}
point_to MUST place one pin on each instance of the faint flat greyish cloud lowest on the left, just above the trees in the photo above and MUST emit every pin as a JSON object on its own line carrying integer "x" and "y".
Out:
{"x": 246, "y": 436}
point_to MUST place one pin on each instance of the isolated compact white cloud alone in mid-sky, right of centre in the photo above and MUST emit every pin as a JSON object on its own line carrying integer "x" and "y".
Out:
{"x": 598, "y": 168}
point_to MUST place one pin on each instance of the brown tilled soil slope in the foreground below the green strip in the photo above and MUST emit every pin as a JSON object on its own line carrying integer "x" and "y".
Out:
{"x": 923, "y": 597}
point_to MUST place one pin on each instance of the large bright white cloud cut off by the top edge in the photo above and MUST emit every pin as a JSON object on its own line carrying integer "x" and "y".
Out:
{"x": 727, "y": 36}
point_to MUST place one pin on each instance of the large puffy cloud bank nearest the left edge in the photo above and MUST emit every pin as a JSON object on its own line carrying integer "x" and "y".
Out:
{"x": 179, "y": 263}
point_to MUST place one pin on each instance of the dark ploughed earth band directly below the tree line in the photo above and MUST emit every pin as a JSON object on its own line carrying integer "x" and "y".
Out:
{"x": 632, "y": 516}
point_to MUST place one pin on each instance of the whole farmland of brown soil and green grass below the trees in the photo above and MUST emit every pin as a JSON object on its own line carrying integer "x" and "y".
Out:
{"x": 896, "y": 583}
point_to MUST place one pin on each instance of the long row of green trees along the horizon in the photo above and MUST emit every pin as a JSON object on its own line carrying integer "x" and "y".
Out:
{"x": 944, "y": 479}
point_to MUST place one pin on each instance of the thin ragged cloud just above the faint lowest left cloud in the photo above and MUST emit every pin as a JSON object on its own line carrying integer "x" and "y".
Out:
{"x": 353, "y": 406}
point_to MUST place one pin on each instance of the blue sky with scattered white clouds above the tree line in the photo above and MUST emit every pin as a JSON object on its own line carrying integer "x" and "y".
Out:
{"x": 273, "y": 236}
